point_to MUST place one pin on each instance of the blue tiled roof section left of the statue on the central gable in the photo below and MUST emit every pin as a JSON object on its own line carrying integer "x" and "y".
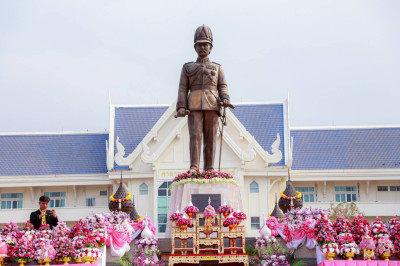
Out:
{"x": 133, "y": 123}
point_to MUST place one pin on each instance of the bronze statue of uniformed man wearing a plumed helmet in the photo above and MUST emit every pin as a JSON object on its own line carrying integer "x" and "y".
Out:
{"x": 202, "y": 92}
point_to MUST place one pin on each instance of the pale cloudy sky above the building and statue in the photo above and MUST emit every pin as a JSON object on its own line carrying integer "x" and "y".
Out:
{"x": 63, "y": 62}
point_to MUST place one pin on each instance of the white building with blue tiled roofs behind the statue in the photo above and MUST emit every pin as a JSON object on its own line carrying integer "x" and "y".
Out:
{"x": 150, "y": 146}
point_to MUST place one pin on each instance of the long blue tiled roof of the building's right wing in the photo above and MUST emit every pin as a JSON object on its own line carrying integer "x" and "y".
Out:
{"x": 363, "y": 148}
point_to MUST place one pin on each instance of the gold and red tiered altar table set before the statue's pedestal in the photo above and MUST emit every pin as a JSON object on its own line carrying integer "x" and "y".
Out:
{"x": 205, "y": 242}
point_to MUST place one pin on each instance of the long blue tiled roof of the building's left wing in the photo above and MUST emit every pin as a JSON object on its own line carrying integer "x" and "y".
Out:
{"x": 51, "y": 154}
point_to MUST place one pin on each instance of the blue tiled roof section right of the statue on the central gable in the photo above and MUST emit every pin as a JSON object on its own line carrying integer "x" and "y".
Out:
{"x": 263, "y": 121}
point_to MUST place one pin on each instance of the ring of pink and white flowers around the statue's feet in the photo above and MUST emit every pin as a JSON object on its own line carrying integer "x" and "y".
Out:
{"x": 204, "y": 177}
